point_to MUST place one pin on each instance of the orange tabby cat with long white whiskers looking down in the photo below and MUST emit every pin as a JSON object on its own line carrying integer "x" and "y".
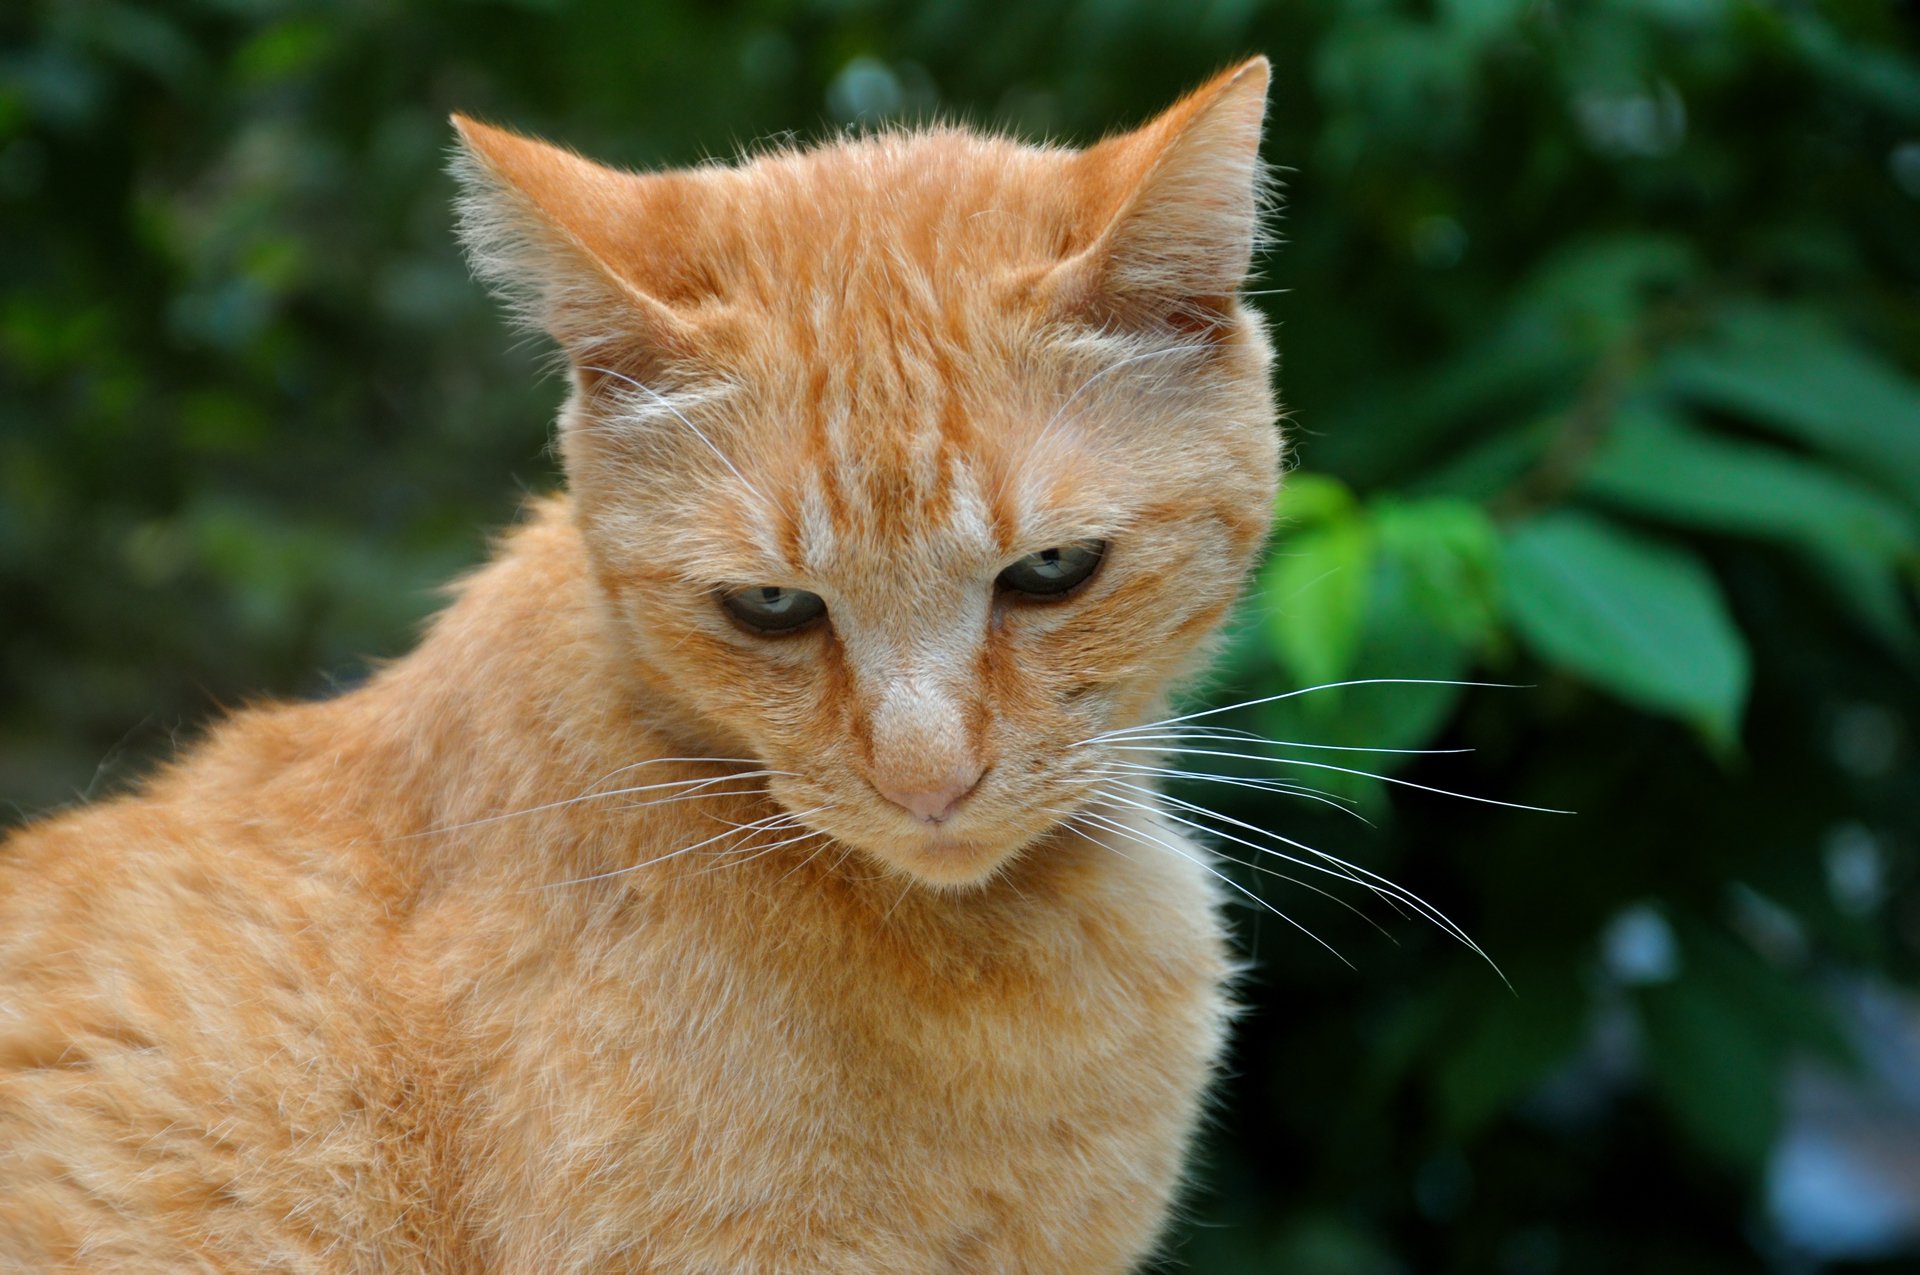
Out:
{"x": 711, "y": 890}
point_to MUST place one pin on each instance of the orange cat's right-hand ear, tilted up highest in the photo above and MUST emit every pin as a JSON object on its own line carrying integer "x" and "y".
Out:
{"x": 1170, "y": 212}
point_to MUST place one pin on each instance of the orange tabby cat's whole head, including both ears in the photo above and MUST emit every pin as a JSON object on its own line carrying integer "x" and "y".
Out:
{"x": 909, "y": 462}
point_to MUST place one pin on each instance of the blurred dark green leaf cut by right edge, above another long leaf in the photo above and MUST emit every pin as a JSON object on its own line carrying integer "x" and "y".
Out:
{"x": 1798, "y": 375}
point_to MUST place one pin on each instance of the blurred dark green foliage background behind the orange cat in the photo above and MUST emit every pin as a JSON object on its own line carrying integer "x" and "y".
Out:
{"x": 1602, "y": 349}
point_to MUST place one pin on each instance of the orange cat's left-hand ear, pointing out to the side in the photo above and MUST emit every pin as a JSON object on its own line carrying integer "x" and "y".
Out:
{"x": 587, "y": 253}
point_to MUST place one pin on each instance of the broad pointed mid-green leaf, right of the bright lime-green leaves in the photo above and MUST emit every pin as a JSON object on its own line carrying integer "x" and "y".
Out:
{"x": 1639, "y": 617}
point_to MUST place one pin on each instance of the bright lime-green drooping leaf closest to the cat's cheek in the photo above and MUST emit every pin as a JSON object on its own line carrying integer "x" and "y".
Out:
{"x": 1316, "y": 596}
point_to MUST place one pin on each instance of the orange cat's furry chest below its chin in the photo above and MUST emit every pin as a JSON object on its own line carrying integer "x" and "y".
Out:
{"x": 875, "y": 1097}
